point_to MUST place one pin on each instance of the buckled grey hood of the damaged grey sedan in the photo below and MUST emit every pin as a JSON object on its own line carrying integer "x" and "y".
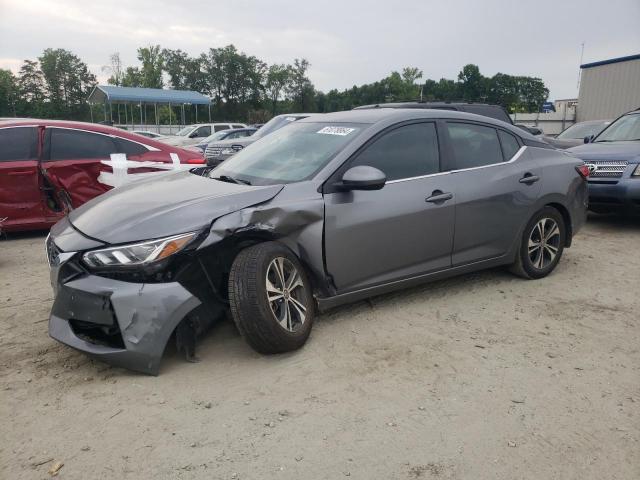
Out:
{"x": 167, "y": 205}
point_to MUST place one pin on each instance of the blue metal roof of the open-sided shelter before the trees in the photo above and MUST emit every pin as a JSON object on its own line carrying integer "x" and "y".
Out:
{"x": 110, "y": 93}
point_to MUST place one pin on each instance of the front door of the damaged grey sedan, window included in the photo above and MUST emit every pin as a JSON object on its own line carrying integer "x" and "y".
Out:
{"x": 379, "y": 236}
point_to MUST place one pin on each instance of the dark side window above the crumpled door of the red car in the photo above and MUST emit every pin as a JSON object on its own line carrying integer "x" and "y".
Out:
{"x": 76, "y": 144}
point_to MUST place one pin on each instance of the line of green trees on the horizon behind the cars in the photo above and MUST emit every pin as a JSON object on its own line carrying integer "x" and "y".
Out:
{"x": 242, "y": 87}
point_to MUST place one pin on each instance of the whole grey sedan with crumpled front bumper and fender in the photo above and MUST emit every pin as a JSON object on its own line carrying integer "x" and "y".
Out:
{"x": 331, "y": 209}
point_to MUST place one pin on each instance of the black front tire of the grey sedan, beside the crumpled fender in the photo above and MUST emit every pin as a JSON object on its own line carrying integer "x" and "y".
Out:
{"x": 250, "y": 307}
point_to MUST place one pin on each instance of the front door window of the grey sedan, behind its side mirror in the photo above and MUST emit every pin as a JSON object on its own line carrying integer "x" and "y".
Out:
{"x": 405, "y": 152}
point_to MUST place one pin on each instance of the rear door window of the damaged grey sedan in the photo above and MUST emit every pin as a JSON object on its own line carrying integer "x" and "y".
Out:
{"x": 474, "y": 145}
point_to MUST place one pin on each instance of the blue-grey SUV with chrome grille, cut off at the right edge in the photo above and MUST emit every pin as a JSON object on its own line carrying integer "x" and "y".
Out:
{"x": 613, "y": 159}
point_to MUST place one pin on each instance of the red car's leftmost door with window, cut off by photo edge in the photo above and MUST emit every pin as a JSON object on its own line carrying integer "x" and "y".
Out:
{"x": 21, "y": 198}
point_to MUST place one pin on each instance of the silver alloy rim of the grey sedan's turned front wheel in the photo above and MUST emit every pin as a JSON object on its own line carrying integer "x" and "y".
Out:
{"x": 286, "y": 294}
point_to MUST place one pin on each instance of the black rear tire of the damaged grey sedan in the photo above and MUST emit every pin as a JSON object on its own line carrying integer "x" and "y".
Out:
{"x": 529, "y": 264}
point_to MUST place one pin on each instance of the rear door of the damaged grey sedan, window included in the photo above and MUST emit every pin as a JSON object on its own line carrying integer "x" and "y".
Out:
{"x": 496, "y": 188}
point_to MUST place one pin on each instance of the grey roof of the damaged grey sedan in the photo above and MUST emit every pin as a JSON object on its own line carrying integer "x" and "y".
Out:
{"x": 375, "y": 115}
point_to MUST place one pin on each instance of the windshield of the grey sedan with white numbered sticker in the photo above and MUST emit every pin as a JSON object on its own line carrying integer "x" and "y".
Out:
{"x": 289, "y": 155}
